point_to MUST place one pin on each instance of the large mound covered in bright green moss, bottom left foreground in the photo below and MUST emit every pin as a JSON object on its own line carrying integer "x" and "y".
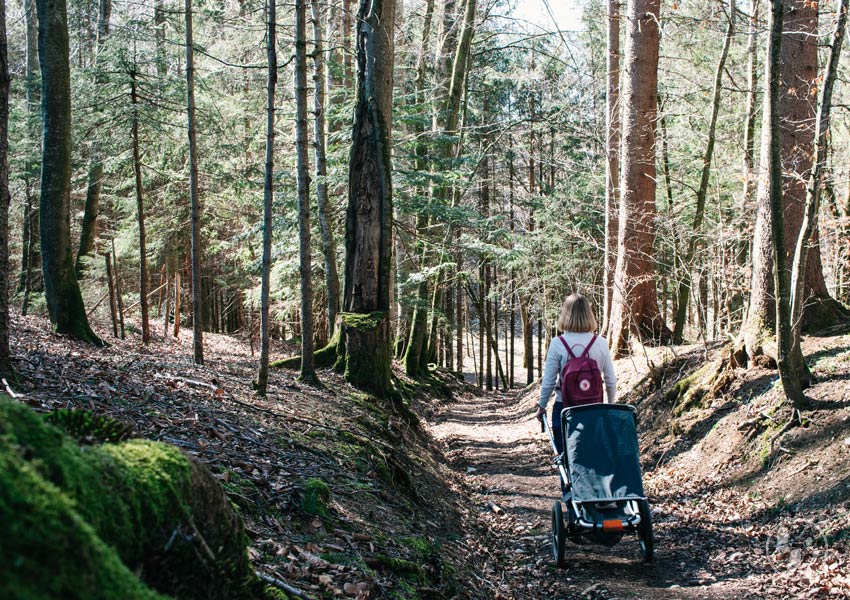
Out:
{"x": 137, "y": 507}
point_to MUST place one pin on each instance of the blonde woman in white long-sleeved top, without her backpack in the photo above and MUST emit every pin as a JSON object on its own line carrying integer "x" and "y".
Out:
{"x": 578, "y": 324}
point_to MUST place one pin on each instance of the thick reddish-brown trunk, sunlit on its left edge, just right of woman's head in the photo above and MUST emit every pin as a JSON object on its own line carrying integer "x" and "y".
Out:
{"x": 634, "y": 308}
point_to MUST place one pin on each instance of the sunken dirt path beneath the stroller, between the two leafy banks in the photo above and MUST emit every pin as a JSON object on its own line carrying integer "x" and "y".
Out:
{"x": 495, "y": 443}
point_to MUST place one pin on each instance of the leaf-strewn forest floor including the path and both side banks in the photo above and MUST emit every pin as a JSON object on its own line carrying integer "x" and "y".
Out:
{"x": 456, "y": 502}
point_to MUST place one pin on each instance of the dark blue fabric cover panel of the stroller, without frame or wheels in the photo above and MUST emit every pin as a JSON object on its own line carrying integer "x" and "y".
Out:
{"x": 602, "y": 452}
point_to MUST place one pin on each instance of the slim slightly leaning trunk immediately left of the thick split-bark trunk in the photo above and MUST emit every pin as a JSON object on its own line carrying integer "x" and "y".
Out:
{"x": 326, "y": 228}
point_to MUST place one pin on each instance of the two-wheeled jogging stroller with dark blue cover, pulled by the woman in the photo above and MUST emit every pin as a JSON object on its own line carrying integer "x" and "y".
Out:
{"x": 600, "y": 469}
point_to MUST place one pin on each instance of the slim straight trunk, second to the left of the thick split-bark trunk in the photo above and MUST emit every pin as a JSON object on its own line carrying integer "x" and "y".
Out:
{"x": 308, "y": 371}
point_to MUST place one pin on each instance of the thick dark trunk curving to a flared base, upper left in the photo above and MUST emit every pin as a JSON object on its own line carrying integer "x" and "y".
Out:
{"x": 64, "y": 300}
